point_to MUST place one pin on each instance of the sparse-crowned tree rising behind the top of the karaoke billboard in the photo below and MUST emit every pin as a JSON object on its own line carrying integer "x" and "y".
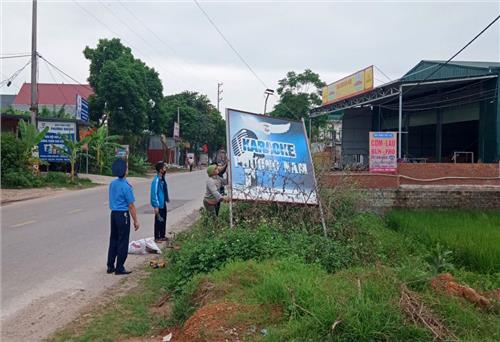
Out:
{"x": 299, "y": 93}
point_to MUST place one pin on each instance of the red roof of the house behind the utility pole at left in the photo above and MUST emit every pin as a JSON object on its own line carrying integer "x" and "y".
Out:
{"x": 53, "y": 94}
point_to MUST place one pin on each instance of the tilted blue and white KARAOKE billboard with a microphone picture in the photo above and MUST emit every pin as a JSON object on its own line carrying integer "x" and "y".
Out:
{"x": 270, "y": 159}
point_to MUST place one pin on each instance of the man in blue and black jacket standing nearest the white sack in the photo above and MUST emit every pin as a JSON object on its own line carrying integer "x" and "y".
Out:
{"x": 159, "y": 200}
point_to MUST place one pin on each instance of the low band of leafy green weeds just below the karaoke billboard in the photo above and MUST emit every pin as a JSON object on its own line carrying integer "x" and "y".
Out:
{"x": 204, "y": 252}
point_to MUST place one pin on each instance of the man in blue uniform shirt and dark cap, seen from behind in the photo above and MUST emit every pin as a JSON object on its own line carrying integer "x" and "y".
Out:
{"x": 121, "y": 203}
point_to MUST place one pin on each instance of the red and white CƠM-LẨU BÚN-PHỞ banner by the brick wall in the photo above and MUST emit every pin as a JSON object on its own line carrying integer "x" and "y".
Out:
{"x": 383, "y": 152}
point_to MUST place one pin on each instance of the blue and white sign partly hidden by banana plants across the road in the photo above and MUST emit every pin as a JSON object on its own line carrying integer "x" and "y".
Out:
{"x": 46, "y": 148}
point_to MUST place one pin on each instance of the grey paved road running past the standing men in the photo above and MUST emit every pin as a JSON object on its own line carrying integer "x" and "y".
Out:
{"x": 54, "y": 252}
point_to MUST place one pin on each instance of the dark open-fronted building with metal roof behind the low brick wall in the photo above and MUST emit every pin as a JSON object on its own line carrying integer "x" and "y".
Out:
{"x": 442, "y": 111}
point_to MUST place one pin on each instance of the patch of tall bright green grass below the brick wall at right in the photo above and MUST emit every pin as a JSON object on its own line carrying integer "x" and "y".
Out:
{"x": 473, "y": 236}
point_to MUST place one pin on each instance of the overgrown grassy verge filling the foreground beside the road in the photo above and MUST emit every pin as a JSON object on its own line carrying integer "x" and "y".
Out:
{"x": 310, "y": 281}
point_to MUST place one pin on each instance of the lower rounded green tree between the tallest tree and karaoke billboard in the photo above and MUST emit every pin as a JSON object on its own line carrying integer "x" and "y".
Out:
{"x": 201, "y": 123}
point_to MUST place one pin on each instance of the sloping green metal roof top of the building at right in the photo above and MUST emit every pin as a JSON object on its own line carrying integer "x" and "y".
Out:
{"x": 454, "y": 69}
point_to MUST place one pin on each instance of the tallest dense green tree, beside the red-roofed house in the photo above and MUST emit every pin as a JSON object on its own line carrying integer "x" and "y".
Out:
{"x": 126, "y": 91}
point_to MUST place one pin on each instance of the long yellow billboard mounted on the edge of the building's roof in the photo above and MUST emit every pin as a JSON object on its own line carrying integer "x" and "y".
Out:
{"x": 357, "y": 83}
